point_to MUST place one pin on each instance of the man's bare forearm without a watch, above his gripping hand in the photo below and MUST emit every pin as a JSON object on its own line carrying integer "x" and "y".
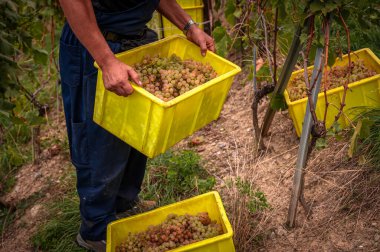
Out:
{"x": 81, "y": 17}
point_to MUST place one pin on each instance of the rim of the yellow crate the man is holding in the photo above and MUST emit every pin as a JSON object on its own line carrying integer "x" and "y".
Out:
{"x": 184, "y": 96}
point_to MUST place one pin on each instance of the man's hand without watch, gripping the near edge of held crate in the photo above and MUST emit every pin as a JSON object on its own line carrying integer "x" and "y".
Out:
{"x": 116, "y": 77}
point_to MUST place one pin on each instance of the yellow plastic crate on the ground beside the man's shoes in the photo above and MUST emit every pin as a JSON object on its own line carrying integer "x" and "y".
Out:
{"x": 210, "y": 202}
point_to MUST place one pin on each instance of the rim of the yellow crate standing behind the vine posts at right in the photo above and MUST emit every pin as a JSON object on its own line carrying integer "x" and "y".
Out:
{"x": 337, "y": 89}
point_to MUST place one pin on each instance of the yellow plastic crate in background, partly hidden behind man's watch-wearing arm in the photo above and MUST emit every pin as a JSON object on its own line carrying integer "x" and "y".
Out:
{"x": 192, "y": 7}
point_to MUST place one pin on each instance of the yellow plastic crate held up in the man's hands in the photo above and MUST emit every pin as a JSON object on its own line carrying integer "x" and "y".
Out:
{"x": 151, "y": 125}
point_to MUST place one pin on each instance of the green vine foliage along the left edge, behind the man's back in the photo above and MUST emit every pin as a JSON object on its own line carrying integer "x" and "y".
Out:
{"x": 28, "y": 46}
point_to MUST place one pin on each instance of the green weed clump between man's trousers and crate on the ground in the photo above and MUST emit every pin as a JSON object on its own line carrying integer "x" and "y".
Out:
{"x": 174, "y": 176}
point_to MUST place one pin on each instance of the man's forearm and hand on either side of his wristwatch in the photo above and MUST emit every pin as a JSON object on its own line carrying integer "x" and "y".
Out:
{"x": 172, "y": 11}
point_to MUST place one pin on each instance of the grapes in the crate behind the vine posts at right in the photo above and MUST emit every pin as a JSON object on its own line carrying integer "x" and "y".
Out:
{"x": 337, "y": 77}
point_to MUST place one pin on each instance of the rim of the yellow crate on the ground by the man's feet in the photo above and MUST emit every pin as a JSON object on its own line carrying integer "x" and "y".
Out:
{"x": 198, "y": 244}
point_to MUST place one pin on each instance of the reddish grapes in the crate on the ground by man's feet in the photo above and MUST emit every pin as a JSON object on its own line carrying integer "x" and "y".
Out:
{"x": 174, "y": 232}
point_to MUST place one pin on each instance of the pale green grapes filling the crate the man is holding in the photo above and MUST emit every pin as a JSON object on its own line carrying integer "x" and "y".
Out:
{"x": 167, "y": 78}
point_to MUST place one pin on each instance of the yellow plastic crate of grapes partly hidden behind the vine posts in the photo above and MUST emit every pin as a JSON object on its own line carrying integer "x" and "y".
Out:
{"x": 365, "y": 92}
